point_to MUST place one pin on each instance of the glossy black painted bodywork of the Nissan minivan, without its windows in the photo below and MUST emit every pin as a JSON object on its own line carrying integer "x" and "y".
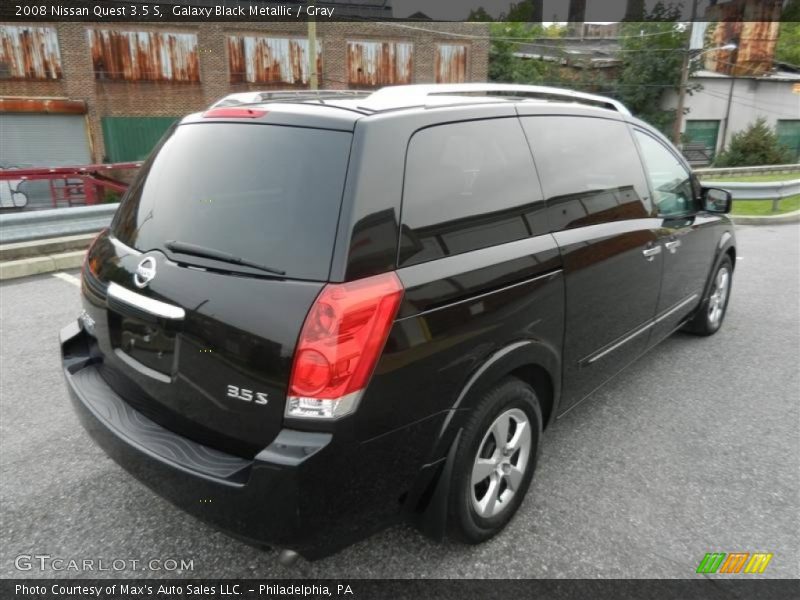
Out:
{"x": 465, "y": 322}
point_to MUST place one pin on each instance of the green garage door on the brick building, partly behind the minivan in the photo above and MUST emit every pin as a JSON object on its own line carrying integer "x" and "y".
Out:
{"x": 132, "y": 138}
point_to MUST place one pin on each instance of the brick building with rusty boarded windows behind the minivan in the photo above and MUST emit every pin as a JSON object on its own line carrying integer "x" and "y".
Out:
{"x": 72, "y": 93}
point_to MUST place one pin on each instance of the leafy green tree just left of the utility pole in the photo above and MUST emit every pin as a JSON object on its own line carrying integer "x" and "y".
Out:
{"x": 652, "y": 54}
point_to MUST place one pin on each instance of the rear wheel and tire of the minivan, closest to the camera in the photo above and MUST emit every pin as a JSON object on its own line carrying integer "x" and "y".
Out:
{"x": 480, "y": 507}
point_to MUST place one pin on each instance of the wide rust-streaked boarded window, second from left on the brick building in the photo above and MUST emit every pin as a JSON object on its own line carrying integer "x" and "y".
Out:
{"x": 144, "y": 55}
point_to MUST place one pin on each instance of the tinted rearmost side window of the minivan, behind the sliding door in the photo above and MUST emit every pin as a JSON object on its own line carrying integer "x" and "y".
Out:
{"x": 467, "y": 186}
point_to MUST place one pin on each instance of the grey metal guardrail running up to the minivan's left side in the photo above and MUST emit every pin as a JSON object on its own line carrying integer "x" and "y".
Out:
{"x": 57, "y": 222}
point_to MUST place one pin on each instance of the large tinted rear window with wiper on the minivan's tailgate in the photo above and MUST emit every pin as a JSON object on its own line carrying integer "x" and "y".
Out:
{"x": 269, "y": 194}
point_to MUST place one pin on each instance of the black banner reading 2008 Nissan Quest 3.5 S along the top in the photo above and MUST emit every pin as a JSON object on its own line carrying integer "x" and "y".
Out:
{"x": 419, "y": 11}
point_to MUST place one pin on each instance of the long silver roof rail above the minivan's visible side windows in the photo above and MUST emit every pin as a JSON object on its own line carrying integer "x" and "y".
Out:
{"x": 416, "y": 95}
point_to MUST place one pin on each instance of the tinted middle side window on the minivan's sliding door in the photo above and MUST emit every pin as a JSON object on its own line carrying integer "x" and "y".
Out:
{"x": 589, "y": 168}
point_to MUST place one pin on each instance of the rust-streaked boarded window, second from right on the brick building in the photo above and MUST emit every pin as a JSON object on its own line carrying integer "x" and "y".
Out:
{"x": 373, "y": 64}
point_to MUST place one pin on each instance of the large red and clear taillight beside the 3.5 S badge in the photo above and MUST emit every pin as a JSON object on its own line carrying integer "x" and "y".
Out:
{"x": 342, "y": 338}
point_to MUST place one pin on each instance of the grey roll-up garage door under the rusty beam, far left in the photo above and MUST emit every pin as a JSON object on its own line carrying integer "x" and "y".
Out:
{"x": 31, "y": 140}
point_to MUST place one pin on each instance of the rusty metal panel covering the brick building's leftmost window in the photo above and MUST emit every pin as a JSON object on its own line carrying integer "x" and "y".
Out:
{"x": 29, "y": 53}
